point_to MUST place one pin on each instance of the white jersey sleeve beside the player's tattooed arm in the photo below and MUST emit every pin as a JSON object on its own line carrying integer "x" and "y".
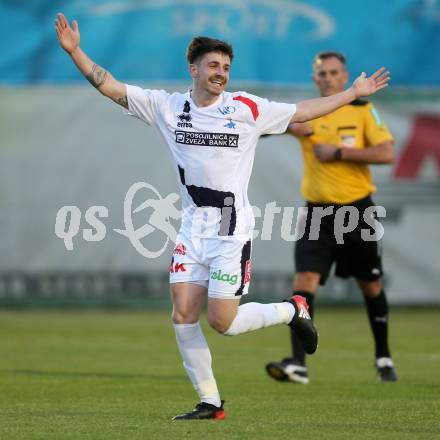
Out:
{"x": 145, "y": 104}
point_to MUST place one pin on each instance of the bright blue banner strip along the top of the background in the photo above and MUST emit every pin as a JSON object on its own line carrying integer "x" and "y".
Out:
{"x": 274, "y": 41}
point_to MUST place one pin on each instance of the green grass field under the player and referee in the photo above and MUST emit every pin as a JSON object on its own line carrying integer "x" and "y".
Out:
{"x": 117, "y": 375}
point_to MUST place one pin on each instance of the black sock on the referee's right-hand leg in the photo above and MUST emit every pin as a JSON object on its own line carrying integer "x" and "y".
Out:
{"x": 377, "y": 309}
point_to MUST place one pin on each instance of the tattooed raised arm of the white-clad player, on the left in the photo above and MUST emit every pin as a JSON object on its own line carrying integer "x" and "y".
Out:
{"x": 101, "y": 79}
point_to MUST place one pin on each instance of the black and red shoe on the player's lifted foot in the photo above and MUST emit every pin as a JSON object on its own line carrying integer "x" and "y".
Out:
{"x": 302, "y": 324}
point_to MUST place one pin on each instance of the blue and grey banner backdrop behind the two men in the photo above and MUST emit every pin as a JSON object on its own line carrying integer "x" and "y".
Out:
{"x": 63, "y": 144}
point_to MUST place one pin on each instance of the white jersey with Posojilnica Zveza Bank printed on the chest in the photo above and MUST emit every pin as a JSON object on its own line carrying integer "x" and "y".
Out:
{"x": 214, "y": 150}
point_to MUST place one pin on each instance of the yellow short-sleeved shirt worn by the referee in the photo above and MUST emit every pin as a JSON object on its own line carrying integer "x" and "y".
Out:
{"x": 356, "y": 125}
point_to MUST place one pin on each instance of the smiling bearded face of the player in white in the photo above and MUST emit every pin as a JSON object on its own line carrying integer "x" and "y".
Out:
{"x": 211, "y": 72}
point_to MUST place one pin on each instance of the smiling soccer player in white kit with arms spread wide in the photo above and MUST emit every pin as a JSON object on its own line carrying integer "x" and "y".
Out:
{"x": 212, "y": 135}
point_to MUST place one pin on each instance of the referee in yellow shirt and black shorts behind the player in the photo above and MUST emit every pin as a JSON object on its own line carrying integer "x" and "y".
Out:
{"x": 337, "y": 149}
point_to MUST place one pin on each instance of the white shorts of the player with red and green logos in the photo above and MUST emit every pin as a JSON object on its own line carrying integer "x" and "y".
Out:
{"x": 223, "y": 266}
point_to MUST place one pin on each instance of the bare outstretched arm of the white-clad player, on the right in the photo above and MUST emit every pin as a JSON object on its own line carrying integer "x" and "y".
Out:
{"x": 362, "y": 86}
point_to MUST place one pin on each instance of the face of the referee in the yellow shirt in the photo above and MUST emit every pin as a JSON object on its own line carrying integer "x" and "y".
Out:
{"x": 330, "y": 76}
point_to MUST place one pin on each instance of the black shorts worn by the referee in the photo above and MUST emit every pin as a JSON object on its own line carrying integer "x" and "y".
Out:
{"x": 355, "y": 257}
